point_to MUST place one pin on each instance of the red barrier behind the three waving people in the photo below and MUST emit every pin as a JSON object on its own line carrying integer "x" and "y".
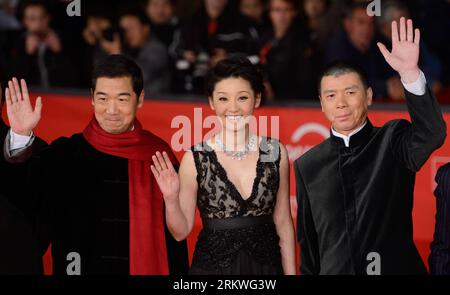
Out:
{"x": 300, "y": 129}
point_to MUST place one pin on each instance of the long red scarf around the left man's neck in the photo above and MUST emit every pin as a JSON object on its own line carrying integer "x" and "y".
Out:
{"x": 148, "y": 252}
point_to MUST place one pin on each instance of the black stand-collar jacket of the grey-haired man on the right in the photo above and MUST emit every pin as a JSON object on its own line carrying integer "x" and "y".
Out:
{"x": 356, "y": 201}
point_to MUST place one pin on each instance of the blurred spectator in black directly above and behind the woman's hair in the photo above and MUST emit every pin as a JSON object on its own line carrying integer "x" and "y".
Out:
{"x": 213, "y": 32}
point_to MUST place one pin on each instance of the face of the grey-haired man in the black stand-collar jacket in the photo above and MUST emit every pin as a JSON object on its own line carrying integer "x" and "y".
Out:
{"x": 345, "y": 101}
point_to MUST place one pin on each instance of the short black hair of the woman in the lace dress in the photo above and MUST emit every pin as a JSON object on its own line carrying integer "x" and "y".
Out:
{"x": 237, "y": 66}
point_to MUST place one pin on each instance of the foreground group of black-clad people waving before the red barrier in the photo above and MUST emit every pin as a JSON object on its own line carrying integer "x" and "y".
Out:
{"x": 114, "y": 199}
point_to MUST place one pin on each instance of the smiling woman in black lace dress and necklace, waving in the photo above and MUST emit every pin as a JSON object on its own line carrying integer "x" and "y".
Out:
{"x": 238, "y": 180}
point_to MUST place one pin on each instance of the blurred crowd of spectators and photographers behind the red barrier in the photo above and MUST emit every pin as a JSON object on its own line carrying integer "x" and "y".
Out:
{"x": 177, "y": 42}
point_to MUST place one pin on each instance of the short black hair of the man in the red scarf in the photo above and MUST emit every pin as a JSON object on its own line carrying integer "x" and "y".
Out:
{"x": 116, "y": 66}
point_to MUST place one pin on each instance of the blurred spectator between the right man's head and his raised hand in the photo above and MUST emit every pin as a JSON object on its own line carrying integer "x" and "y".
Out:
{"x": 357, "y": 43}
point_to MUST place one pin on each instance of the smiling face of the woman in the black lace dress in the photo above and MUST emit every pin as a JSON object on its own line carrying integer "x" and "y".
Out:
{"x": 234, "y": 100}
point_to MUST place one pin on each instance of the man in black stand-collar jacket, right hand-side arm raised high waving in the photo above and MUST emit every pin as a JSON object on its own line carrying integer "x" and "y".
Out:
{"x": 355, "y": 190}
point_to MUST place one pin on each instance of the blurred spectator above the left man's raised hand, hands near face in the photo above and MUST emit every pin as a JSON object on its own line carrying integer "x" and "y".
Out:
{"x": 38, "y": 56}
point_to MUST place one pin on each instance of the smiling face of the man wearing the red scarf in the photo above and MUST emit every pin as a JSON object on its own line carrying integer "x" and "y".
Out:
{"x": 115, "y": 104}
